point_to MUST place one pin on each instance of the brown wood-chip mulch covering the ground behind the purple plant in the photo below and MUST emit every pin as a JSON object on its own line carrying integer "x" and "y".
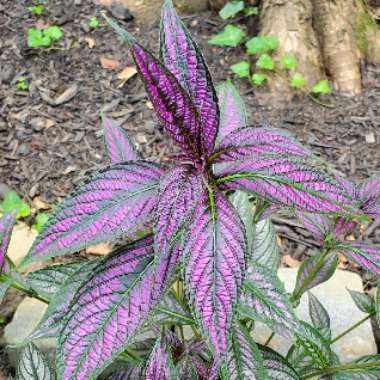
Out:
{"x": 46, "y": 148}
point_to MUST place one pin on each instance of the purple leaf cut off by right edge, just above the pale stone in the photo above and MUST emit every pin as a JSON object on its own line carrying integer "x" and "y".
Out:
{"x": 365, "y": 254}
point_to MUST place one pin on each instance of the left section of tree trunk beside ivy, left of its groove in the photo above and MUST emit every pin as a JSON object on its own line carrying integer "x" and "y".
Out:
{"x": 291, "y": 23}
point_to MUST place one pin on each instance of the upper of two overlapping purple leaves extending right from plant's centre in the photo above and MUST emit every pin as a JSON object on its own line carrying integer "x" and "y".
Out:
{"x": 249, "y": 142}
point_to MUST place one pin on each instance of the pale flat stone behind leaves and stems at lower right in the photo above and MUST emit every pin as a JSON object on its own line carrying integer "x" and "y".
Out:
{"x": 343, "y": 313}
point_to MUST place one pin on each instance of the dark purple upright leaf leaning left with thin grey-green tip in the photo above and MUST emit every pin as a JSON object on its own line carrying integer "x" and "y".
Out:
{"x": 172, "y": 104}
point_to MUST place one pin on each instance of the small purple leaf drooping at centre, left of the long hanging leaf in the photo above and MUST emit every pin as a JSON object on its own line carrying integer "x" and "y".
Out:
{"x": 178, "y": 193}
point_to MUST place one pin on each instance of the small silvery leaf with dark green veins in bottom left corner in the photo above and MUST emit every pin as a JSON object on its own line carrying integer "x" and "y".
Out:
{"x": 33, "y": 365}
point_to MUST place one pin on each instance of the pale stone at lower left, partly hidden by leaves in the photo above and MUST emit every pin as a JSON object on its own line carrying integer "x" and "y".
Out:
{"x": 25, "y": 320}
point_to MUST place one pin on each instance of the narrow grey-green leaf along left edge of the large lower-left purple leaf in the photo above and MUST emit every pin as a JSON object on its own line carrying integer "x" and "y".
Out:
{"x": 60, "y": 302}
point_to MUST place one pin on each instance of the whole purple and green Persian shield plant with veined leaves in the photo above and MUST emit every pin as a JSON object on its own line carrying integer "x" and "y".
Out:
{"x": 197, "y": 258}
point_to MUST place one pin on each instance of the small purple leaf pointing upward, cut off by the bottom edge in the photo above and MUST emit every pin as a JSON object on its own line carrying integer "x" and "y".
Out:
{"x": 160, "y": 364}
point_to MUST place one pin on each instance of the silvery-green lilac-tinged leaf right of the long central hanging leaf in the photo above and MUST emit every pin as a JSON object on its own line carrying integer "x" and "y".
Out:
{"x": 264, "y": 299}
